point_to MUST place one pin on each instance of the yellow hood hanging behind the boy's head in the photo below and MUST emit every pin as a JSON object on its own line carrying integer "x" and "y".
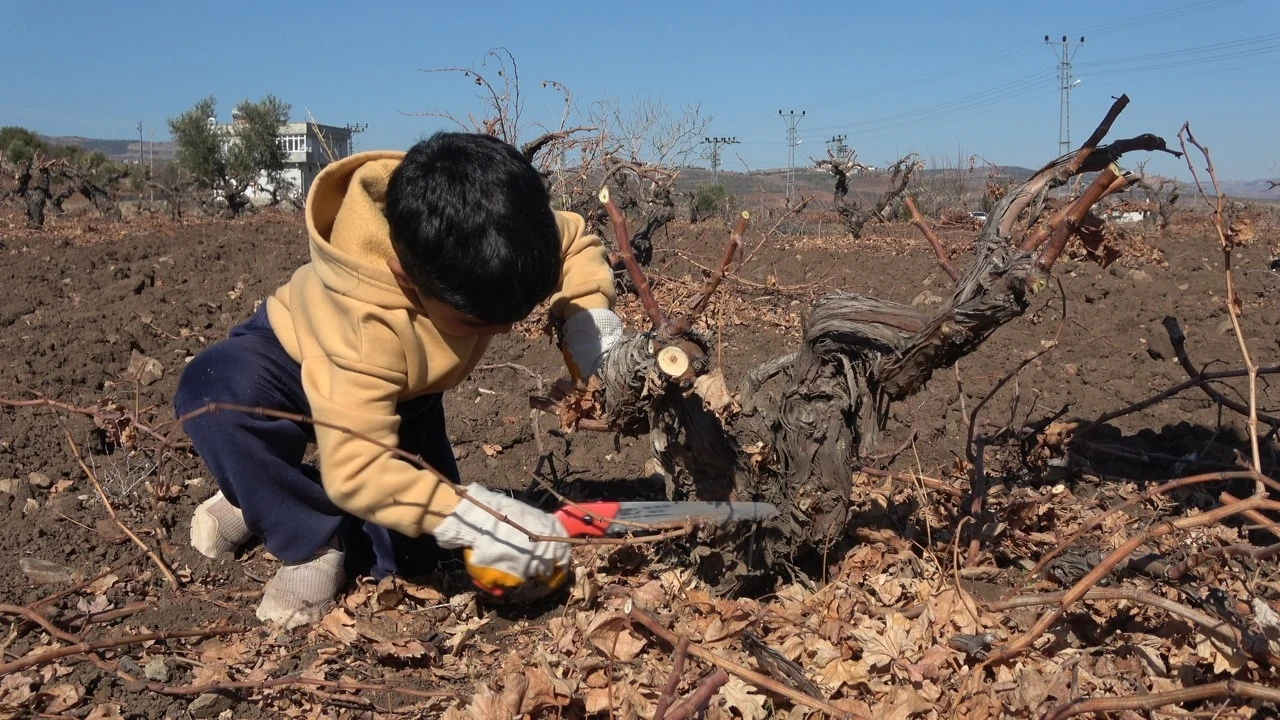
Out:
{"x": 349, "y": 230}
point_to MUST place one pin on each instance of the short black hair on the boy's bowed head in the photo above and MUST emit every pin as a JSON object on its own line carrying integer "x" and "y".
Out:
{"x": 472, "y": 225}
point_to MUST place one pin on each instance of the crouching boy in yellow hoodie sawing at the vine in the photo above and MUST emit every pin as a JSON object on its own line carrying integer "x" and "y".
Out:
{"x": 417, "y": 261}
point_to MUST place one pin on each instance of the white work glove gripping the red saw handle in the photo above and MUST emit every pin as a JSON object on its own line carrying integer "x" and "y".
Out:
{"x": 500, "y": 558}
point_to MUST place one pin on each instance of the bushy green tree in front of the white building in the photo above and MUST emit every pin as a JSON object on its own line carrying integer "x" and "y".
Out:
{"x": 227, "y": 161}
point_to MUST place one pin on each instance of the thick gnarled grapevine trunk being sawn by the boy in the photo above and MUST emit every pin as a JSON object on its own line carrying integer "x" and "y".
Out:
{"x": 797, "y": 448}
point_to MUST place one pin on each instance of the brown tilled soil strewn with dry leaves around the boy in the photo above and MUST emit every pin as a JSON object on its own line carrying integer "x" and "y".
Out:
{"x": 104, "y": 318}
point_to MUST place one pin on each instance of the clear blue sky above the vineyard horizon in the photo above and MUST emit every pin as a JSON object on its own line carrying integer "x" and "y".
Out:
{"x": 944, "y": 79}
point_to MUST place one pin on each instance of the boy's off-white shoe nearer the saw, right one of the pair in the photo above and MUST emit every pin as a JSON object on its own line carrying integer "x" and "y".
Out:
{"x": 298, "y": 594}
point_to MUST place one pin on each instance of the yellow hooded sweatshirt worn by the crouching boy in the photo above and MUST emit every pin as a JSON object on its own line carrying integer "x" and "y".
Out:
{"x": 364, "y": 348}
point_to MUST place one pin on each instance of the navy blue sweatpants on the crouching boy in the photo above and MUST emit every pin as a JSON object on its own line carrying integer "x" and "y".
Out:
{"x": 258, "y": 461}
